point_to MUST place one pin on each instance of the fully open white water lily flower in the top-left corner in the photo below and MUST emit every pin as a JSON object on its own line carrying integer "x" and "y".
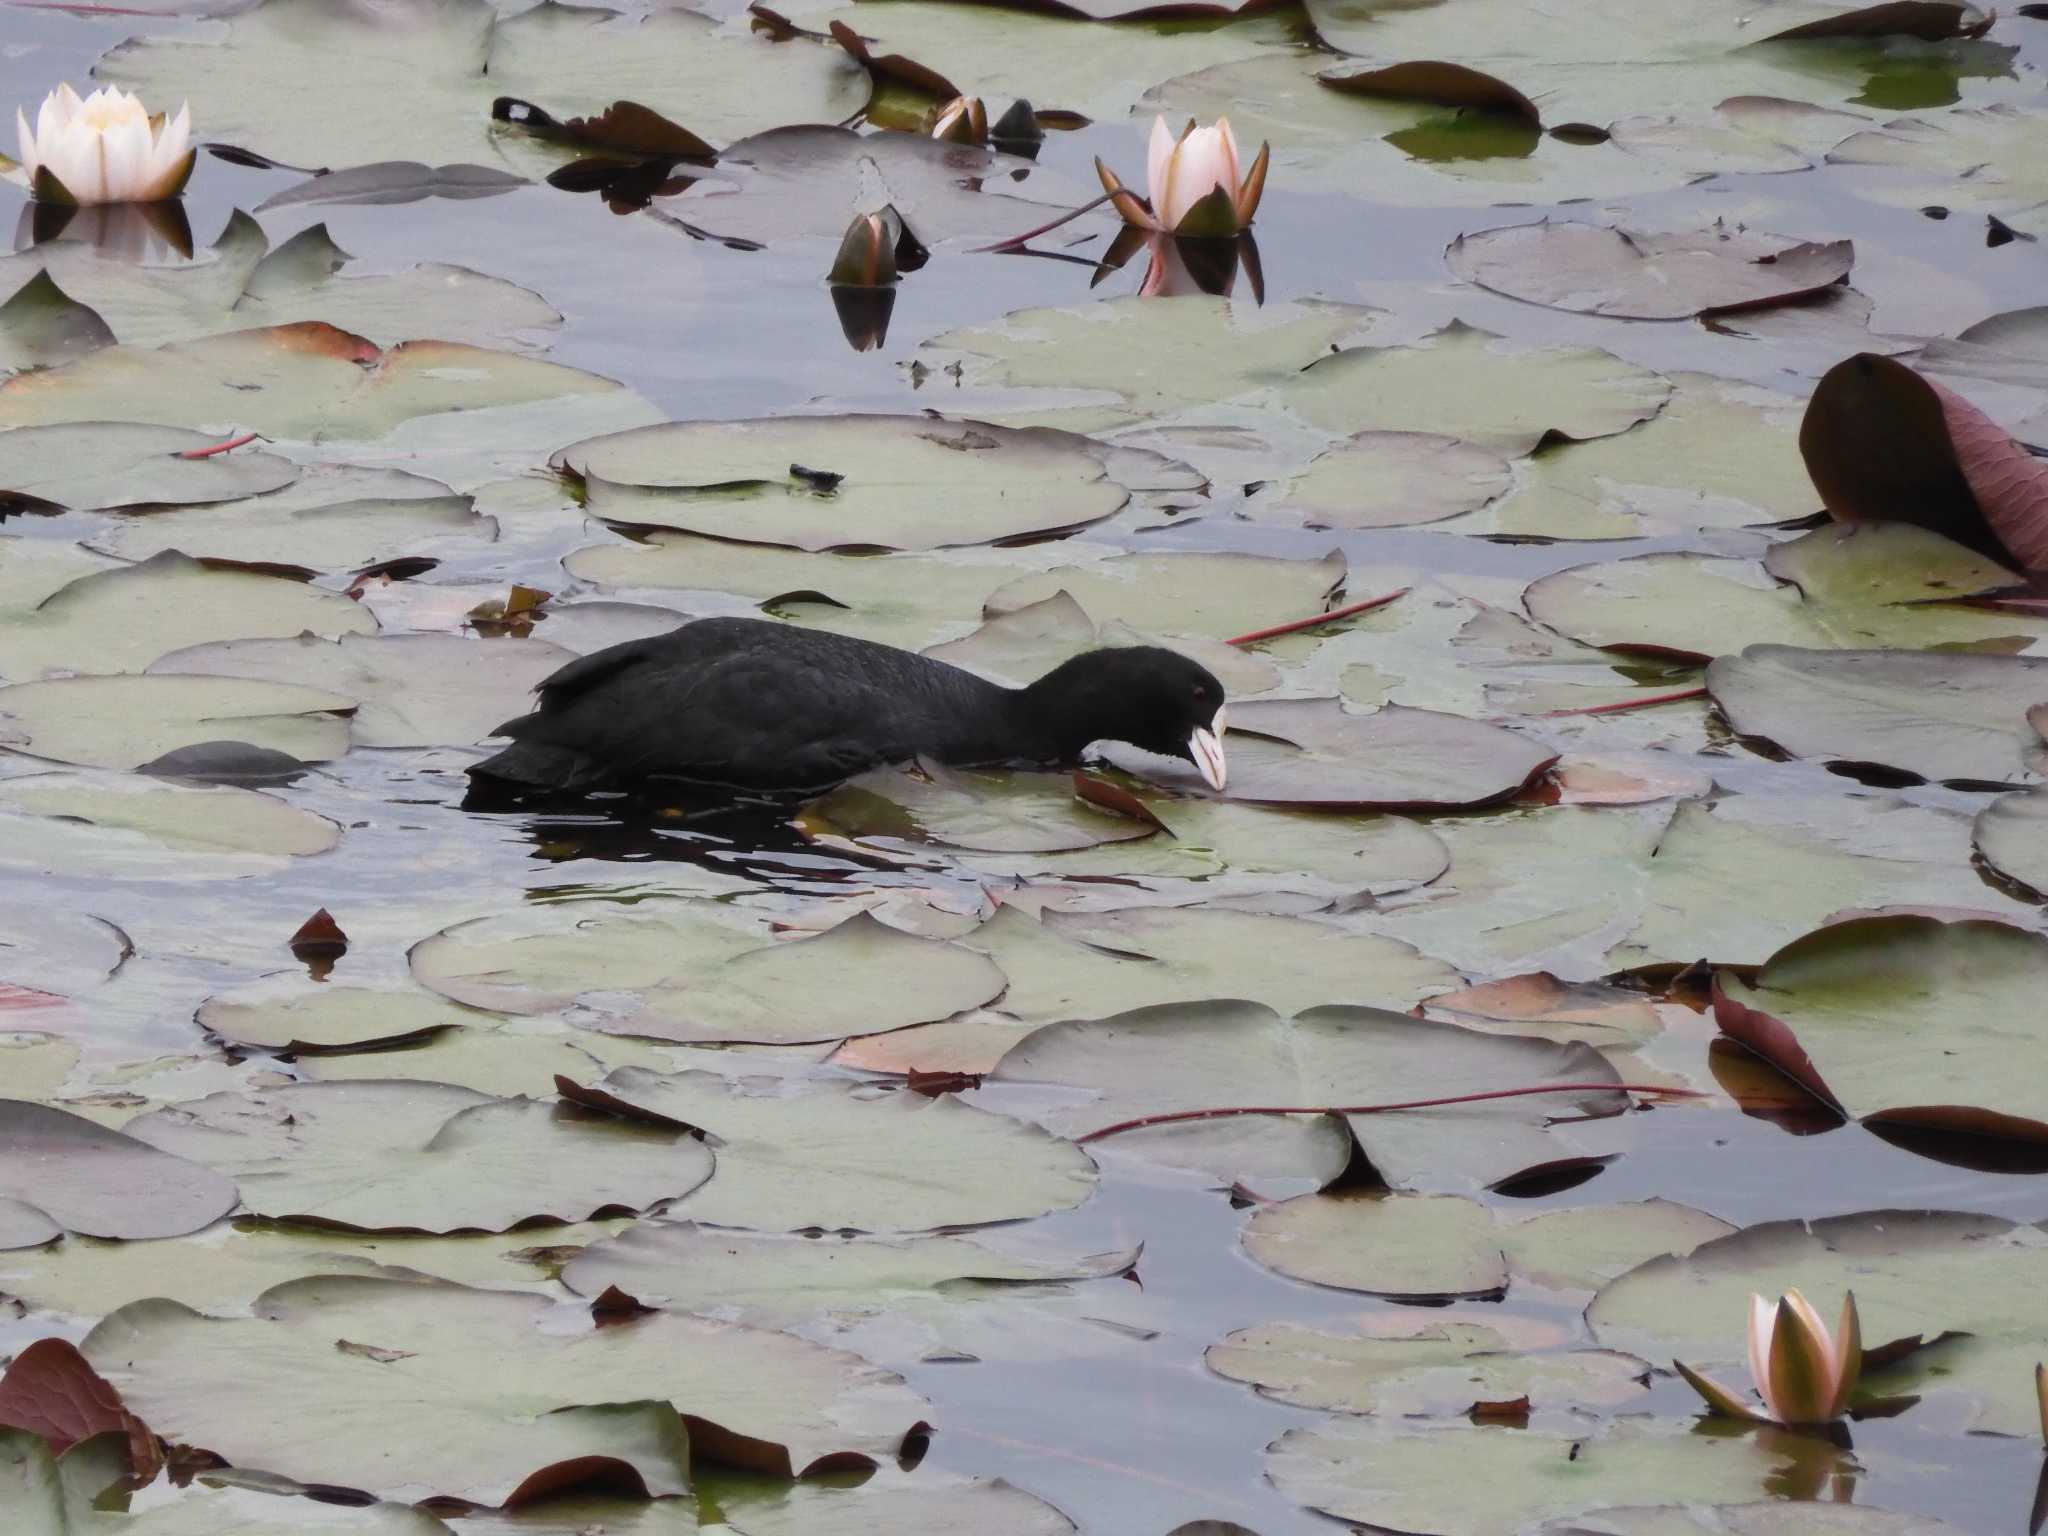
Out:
{"x": 103, "y": 148}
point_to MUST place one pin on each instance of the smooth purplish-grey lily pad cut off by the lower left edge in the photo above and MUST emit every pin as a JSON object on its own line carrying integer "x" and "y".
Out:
{"x": 85, "y": 1179}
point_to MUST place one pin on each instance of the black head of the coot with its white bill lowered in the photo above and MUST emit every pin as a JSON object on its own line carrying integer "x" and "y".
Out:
{"x": 1142, "y": 695}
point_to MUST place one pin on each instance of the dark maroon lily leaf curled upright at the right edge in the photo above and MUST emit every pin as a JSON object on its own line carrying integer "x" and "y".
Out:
{"x": 1885, "y": 443}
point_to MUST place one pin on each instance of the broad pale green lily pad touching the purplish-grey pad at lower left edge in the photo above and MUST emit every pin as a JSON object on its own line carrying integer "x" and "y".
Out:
{"x": 425, "y": 1156}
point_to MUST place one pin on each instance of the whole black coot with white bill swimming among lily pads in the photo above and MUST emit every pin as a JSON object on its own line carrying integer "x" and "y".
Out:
{"x": 751, "y": 703}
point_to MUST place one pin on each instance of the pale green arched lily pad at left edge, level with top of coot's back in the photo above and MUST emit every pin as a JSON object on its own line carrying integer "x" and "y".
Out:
{"x": 128, "y": 617}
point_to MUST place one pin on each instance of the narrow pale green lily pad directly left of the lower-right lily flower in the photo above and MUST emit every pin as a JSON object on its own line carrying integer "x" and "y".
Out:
{"x": 1441, "y": 1369}
